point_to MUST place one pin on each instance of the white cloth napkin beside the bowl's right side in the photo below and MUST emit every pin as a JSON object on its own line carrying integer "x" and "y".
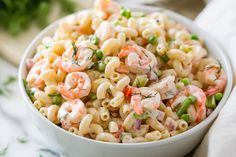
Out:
{"x": 219, "y": 19}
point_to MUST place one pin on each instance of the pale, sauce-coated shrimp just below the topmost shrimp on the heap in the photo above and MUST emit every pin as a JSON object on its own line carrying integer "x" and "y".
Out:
{"x": 105, "y": 31}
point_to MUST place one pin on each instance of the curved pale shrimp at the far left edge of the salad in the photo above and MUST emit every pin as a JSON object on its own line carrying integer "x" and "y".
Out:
{"x": 33, "y": 78}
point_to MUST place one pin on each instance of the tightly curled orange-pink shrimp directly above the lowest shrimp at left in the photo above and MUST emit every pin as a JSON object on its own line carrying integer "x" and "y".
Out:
{"x": 77, "y": 85}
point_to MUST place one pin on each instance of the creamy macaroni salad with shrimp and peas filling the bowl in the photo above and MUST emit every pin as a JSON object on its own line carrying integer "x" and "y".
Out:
{"x": 115, "y": 75}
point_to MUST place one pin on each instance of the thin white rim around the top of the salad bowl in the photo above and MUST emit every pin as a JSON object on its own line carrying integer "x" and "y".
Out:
{"x": 175, "y": 16}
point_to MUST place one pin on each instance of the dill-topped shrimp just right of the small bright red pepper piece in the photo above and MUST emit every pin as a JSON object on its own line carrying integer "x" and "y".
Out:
{"x": 145, "y": 98}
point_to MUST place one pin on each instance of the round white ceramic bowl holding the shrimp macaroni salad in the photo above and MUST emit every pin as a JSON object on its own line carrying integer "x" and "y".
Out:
{"x": 76, "y": 146}
